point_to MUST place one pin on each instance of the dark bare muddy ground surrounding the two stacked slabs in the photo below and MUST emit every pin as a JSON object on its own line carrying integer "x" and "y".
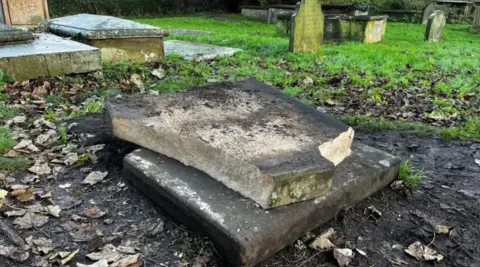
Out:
{"x": 449, "y": 195}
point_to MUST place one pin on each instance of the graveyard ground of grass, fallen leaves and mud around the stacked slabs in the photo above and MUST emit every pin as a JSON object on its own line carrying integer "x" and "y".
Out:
{"x": 416, "y": 100}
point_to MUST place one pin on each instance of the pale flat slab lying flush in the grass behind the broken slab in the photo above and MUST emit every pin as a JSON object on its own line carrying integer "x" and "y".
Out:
{"x": 198, "y": 51}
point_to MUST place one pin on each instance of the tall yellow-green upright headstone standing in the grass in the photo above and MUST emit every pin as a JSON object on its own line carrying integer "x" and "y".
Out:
{"x": 307, "y": 27}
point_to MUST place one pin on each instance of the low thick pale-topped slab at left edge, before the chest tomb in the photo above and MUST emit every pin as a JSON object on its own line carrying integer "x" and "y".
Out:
{"x": 48, "y": 55}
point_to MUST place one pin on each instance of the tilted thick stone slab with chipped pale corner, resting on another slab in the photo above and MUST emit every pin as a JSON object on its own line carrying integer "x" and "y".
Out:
{"x": 249, "y": 136}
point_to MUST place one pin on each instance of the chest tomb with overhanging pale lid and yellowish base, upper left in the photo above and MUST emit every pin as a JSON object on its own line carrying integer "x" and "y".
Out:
{"x": 117, "y": 39}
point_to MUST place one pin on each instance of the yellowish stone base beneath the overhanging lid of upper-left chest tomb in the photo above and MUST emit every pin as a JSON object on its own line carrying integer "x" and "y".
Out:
{"x": 136, "y": 49}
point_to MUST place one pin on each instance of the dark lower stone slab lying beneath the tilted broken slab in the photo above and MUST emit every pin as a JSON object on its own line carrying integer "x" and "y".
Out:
{"x": 243, "y": 233}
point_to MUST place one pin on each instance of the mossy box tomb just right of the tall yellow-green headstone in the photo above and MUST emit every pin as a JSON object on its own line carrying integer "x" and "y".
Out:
{"x": 365, "y": 29}
